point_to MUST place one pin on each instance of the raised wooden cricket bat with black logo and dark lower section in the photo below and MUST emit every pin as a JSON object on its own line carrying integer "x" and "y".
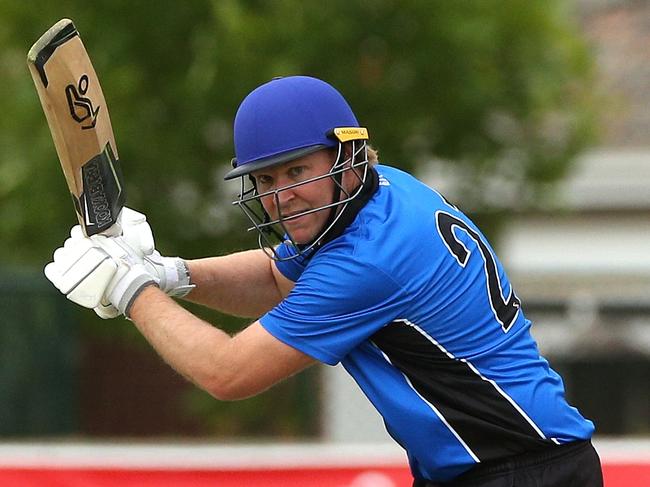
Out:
{"x": 77, "y": 115}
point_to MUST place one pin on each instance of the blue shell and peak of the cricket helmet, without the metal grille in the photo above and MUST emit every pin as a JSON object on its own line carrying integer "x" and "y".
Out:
{"x": 284, "y": 119}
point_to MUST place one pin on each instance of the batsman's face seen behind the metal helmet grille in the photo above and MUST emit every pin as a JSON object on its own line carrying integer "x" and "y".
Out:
{"x": 300, "y": 198}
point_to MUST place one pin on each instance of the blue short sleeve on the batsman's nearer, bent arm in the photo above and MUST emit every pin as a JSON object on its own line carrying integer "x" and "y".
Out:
{"x": 336, "y": 305}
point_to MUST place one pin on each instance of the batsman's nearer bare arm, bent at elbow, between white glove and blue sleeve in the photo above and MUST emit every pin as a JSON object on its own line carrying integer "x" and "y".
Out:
{"x": 227, "y": 367}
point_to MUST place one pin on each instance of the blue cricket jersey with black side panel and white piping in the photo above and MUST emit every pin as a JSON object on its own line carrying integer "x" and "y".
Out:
{"x": 413, "y": 302}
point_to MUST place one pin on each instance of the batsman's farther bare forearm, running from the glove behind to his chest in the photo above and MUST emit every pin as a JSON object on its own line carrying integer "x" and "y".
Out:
{"x": 240, "y": 284}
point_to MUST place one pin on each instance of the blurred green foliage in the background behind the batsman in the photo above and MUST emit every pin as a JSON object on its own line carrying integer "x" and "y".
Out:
{"x": 500, "y": 90}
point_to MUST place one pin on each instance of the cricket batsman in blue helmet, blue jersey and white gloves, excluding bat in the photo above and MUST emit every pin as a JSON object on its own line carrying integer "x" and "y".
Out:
{"x": 359, "y": 264}
